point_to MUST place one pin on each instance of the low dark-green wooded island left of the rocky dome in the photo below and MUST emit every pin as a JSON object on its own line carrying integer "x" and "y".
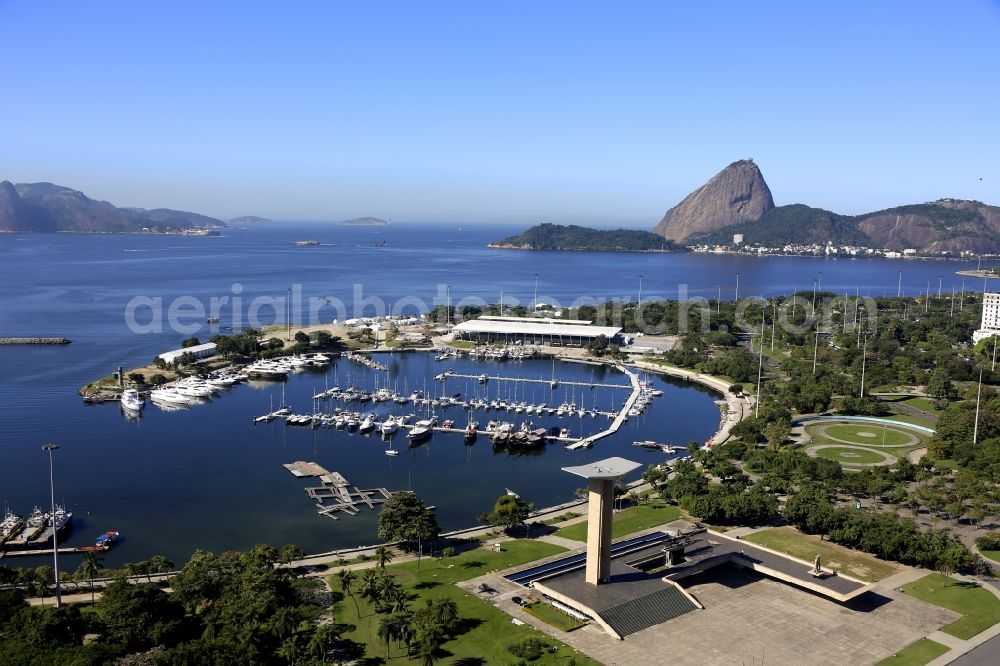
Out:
{"x": 572, "y": 237}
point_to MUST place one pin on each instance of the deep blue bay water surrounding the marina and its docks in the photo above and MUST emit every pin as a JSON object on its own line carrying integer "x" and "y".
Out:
{"x": 206, "y": 477}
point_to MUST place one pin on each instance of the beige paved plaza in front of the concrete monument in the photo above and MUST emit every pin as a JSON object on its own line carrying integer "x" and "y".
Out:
{"x": 748, "y": 617}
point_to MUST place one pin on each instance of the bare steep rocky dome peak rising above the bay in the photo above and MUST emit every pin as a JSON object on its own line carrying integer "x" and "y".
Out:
{"x": 735, "y": 195}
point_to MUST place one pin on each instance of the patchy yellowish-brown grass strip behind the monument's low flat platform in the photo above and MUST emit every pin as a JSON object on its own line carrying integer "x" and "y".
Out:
{"x": 806, "y": 547}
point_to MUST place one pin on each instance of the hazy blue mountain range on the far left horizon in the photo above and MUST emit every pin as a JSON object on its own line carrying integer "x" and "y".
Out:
{"x": 44, "y": 207}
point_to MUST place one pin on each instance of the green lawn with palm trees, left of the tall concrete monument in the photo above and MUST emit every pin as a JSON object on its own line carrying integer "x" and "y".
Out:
{"x": 488, "y": 630}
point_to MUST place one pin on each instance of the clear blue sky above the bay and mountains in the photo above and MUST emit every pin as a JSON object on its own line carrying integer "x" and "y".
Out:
{"x": 561, "y": 111}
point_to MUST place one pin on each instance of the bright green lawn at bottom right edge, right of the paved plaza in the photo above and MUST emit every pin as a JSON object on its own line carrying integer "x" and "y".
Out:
{"x": 980, "y": 609}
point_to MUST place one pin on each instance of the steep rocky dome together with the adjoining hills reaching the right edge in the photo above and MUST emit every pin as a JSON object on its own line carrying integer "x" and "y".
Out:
{"x": 737, "y": 200}
